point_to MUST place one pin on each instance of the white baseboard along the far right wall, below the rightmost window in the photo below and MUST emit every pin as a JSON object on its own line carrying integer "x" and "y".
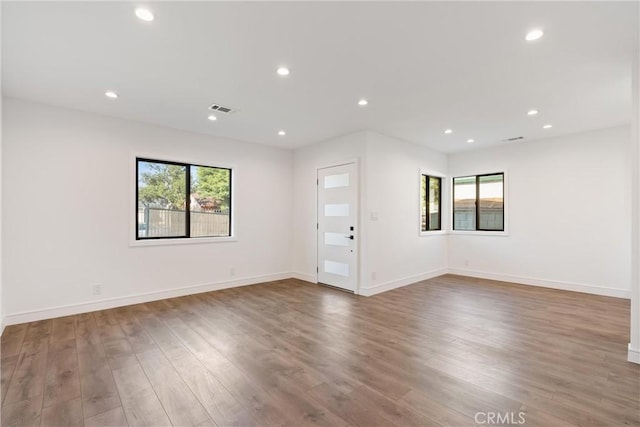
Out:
{"x": 565, "y": 286}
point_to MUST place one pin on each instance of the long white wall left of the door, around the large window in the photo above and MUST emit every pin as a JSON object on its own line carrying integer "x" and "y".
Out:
{"x": 67, "y": 213}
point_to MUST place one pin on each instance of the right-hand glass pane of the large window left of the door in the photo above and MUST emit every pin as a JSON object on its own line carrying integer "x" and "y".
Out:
{"x": 210, "y": 202}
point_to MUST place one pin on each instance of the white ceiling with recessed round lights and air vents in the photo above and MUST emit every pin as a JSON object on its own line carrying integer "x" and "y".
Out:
{"x": 423, "y": 66}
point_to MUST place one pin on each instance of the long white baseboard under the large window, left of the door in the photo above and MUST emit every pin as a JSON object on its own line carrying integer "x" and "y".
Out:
{"x": 68, "y": 310}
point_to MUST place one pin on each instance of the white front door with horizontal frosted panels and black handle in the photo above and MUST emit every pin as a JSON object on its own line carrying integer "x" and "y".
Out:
{"x": 337, "y": 221}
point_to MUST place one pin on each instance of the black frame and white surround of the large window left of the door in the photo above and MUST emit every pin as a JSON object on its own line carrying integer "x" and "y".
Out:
{"x": 135, "y": 240}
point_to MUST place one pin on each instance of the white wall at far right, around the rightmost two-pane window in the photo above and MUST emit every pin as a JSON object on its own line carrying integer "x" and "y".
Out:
{"x": 569, "y": 214}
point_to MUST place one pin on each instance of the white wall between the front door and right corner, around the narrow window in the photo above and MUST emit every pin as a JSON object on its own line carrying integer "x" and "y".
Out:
{"x": 397, "y": 252}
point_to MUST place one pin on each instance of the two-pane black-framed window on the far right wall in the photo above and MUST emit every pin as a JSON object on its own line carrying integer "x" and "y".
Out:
{"x": 478, "y": 202}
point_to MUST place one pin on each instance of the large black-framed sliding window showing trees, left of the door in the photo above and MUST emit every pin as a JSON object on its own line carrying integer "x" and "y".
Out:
{"x": 178, "y": 200}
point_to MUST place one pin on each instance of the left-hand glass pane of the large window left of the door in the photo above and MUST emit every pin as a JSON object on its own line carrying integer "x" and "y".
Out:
{"x": 161, "y": 199}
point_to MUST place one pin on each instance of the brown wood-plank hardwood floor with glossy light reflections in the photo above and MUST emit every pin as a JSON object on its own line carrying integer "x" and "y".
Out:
{"x": 449, "y": 351}
